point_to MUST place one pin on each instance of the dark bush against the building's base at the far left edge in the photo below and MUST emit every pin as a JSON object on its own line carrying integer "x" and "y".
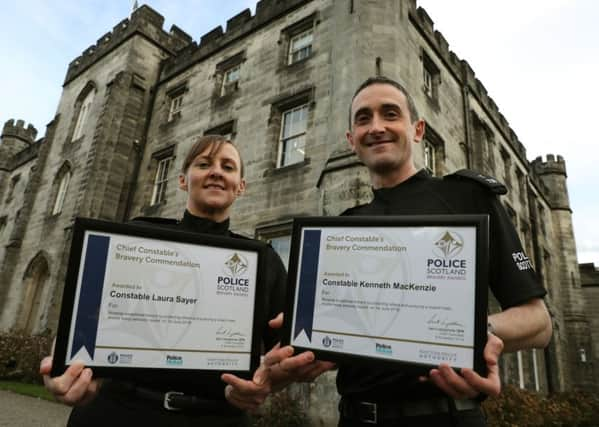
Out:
{"x": 20, "y": 355}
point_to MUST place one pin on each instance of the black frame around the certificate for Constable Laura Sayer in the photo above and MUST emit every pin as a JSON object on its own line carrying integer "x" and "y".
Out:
{"x": 68, "y": 316}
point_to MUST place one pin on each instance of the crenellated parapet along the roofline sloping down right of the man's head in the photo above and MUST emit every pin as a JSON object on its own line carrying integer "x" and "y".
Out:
{"x": 463, "y": 73}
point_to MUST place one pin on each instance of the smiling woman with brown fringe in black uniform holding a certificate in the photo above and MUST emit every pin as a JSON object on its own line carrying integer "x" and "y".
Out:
{"x": 212, "y": 176}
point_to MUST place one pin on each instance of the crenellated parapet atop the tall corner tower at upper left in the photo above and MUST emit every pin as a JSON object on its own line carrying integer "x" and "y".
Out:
{"x": 144, "y": 21}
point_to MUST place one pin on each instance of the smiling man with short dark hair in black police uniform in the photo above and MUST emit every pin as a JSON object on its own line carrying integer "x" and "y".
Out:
{"x": 384, "y": 130}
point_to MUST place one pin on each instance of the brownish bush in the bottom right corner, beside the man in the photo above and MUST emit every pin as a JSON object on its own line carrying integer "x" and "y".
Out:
{"x": 520, "y": 408}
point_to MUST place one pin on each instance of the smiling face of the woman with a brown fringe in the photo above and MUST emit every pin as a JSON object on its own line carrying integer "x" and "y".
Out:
{"x": 213, "y": 182}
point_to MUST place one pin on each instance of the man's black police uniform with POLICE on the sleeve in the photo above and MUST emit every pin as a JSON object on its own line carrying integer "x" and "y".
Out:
{"x": 393, "y": 397}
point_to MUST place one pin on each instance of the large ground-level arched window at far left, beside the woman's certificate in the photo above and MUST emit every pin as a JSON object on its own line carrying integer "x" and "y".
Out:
{"x": 34, "y": 281}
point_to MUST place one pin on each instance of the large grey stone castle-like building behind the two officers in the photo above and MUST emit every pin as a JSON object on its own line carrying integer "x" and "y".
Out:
{"x": 279, "y": 83}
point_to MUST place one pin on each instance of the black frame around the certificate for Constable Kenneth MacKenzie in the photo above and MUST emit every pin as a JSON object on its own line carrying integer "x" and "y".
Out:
{"x": 479, "y": 222}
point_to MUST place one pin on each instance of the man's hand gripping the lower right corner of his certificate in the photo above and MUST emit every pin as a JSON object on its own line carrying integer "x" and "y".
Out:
{"x": 470, "y": 384}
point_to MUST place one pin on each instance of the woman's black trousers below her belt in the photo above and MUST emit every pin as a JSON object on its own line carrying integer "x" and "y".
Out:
{"x": 116, "y": 411}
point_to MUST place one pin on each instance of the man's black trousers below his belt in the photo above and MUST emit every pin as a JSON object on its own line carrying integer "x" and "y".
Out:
{"x": 467, "y": 418}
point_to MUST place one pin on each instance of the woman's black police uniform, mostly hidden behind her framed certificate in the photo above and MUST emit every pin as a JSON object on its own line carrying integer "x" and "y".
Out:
{"x": 122, "y": 403}
